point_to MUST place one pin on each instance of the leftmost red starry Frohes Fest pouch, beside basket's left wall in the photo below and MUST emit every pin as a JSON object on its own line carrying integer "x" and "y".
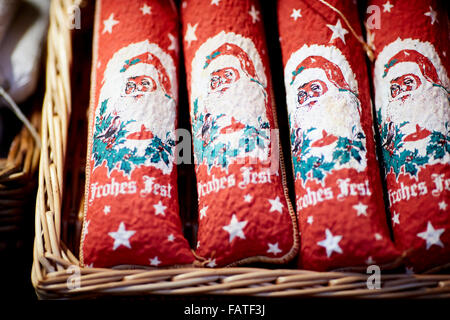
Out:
{"x": 125, "y": 221}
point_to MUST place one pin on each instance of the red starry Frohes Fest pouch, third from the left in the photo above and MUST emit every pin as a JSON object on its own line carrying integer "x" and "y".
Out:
{"x": 339, "y": 198}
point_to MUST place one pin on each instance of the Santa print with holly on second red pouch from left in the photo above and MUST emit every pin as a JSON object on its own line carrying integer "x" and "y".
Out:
{"x": 229, "y": 101}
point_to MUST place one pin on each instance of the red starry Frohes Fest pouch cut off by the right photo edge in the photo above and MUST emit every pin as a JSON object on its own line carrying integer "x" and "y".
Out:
{"x": 413, "y": 43}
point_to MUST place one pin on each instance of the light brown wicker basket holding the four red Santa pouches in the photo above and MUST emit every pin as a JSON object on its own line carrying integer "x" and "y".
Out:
{"x": 56, "y": 272}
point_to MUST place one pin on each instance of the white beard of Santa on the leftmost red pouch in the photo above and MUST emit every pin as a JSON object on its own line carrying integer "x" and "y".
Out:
{"x": 154, "y": 110}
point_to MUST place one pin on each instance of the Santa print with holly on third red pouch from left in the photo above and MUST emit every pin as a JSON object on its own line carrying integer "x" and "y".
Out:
{"x": 324, "y": 113}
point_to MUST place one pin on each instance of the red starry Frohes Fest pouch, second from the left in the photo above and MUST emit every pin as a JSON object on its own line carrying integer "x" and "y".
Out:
{"x": 244, "y": 213}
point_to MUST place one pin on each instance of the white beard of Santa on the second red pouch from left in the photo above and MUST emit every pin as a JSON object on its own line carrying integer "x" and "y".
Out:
{"x": 244, "y": 100}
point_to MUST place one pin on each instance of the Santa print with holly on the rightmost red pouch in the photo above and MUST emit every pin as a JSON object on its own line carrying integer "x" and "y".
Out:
{"x": 412, "y": 106}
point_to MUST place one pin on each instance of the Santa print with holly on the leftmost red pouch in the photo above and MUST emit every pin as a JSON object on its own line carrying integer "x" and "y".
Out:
{"x": 135, "y": 119}
